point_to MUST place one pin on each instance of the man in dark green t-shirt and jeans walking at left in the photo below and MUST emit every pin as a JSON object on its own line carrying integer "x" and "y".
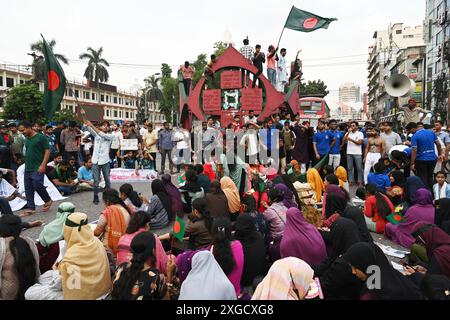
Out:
{"x": 36, "y": 158}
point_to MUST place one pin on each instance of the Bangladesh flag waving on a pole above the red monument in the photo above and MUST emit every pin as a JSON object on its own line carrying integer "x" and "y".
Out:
{"x": 305, "y": 21}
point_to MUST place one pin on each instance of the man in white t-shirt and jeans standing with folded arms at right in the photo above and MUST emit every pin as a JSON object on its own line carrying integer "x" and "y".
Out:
{"x": 354, "y": 139}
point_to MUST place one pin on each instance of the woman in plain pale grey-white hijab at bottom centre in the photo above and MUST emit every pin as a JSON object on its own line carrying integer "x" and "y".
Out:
{"x": 206, "y": 280}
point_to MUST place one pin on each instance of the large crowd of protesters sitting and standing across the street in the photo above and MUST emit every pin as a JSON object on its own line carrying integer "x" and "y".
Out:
{"x": 253, "y": 231}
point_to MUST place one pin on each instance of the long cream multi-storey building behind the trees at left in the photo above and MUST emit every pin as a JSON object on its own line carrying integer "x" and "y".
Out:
{"x": 103, "y": 103}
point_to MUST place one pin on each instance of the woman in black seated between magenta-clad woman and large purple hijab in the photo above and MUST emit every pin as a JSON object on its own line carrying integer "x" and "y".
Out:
{"x": 255, "y": 263}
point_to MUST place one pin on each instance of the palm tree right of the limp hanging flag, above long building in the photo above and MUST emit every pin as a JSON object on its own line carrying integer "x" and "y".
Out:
{"x": 96, "y": 70}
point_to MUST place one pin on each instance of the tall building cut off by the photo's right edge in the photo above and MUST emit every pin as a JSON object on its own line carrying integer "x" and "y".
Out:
{"x": 437, "y": 36}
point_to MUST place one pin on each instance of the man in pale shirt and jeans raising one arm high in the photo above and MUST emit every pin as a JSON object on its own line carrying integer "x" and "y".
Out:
{"x": 100, "y": 155}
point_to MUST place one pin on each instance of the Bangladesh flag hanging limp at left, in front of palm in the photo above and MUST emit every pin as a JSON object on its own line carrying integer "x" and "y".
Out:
{"x": 55, "y": 82}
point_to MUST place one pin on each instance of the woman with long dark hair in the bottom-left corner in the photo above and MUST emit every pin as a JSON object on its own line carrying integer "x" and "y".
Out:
{"x": 19, "y": 260}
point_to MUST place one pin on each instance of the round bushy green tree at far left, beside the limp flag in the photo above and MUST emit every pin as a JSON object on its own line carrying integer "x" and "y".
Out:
{"x": 24, "y": 102}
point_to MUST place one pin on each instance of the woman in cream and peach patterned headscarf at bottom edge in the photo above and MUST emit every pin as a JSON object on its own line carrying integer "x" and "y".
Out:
{"x": 288, "y": 279}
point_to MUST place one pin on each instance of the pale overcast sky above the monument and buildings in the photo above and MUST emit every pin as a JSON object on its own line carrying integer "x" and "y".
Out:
{"x": 152, "y": 32}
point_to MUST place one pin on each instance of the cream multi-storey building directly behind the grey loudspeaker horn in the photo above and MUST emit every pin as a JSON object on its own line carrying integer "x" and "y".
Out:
{"x": 382, "y": 57}
